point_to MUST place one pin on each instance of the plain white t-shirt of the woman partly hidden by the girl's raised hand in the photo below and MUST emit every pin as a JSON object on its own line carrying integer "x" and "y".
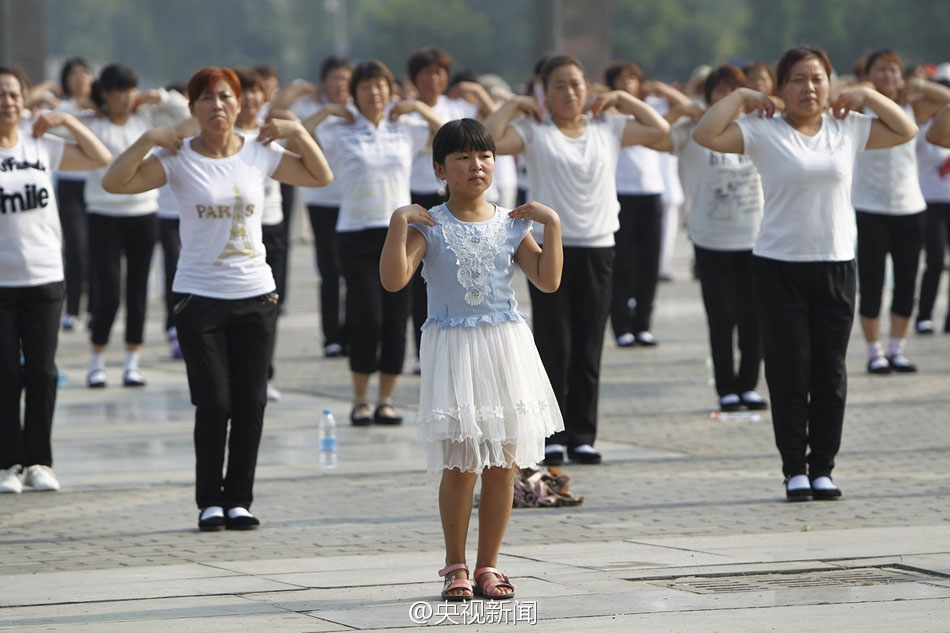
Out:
{"x": 575, "y": 177}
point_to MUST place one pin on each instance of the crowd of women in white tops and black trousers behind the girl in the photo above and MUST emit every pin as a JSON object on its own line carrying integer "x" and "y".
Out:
{"x": 795, "y": 182}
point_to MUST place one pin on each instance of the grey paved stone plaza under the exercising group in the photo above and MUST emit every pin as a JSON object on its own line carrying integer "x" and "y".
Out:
{"x": 684, "y": 527}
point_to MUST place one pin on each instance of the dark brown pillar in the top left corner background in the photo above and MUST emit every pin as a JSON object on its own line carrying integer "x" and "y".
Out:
{"x": 23, "y": 36}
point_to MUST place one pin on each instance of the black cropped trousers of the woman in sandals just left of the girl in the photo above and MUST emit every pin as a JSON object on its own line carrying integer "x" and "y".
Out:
{"x": 375, "y": 318}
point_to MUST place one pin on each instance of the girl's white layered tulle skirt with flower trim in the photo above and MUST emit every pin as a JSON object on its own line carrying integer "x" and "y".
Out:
{"x": 485, "y": 398}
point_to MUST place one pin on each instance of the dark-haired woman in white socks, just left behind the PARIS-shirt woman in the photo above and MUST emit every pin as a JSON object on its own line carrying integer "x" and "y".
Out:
{"x": 122, "y": 227}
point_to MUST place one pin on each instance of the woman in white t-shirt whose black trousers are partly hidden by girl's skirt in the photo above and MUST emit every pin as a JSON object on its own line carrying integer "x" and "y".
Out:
{"x": 572, "y": 162}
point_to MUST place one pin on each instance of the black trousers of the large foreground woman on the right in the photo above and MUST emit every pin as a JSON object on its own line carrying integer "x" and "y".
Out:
{"x": 807, "y": 309}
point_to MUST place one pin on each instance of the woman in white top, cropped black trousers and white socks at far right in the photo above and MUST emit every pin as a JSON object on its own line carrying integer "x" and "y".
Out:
{"x": 889, "y": 207}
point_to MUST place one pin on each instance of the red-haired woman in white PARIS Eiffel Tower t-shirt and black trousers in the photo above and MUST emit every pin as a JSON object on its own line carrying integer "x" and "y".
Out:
{"x": 228, "y": 312}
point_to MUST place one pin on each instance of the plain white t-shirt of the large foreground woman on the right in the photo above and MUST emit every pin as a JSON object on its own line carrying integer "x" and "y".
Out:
{"x": 806, "y": 181}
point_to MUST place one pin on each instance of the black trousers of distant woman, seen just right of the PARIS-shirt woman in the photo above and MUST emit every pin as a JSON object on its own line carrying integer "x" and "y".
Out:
{"x": 327, "y": 244}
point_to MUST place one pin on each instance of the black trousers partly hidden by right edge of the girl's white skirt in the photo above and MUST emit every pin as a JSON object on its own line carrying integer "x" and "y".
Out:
{"x": 569, "y": 329}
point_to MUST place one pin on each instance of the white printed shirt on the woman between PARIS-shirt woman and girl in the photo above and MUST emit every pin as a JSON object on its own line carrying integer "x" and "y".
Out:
{"x": 372, "y": 164}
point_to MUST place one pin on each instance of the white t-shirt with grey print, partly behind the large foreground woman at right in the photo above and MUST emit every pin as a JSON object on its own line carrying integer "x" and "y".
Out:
{"x": 724, "y": 190}
